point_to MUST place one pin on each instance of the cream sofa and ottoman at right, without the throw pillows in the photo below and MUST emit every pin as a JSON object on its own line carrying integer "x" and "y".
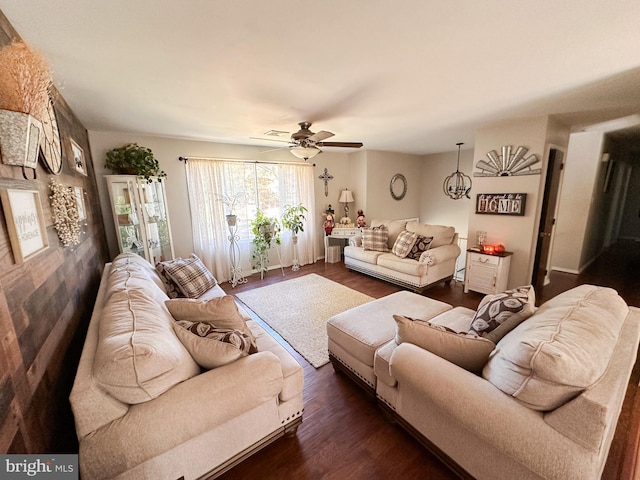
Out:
{"x": 543, "y": 406}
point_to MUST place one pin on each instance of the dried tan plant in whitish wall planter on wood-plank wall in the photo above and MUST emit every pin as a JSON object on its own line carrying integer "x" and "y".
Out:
{"x": 25, "y": 86}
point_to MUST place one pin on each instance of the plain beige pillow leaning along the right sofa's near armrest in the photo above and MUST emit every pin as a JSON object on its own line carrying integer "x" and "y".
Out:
{"x": 467, "y": 352}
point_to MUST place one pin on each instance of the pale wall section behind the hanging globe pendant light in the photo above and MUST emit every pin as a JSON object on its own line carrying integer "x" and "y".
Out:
{"x": 437, "y": 208}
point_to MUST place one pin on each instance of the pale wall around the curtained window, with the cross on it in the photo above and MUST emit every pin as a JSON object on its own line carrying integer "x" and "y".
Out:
{"x": 167, "y": 151}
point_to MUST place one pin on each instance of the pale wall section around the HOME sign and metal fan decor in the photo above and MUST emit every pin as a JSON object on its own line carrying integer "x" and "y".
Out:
{"x": 517, "y": 233}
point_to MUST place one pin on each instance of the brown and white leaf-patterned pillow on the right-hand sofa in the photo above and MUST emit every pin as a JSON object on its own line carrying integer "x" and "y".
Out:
{"x": 498, "y": 314}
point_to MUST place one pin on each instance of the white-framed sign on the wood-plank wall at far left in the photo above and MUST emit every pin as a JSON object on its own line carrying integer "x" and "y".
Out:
{"x": 25, "y": 223}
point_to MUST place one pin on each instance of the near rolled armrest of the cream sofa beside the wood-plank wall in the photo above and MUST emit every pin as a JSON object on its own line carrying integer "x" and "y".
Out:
{"x": 187, "y": 410}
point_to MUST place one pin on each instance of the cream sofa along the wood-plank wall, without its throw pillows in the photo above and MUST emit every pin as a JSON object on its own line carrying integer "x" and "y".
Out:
{"x": 153, "y": 412}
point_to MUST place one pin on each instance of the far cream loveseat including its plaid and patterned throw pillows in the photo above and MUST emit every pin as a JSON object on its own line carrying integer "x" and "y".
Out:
{"x": 408, "y": 253}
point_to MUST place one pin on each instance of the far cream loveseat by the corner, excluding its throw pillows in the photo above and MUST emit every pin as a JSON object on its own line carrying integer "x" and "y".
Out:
{"x": 436, "y": 264}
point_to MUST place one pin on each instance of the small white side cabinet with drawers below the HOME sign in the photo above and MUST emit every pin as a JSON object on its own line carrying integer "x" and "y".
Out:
{"x": 487, "y": 273}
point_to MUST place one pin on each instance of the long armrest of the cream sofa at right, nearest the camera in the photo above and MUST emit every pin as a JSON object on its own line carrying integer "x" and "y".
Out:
{"x": 430, "y": 385}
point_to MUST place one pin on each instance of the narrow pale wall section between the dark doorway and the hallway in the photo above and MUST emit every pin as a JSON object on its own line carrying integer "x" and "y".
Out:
{"x": 581, "y": 171}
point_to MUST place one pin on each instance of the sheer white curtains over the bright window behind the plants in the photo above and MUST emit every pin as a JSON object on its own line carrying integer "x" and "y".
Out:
{"x": 208, "y": 180}
